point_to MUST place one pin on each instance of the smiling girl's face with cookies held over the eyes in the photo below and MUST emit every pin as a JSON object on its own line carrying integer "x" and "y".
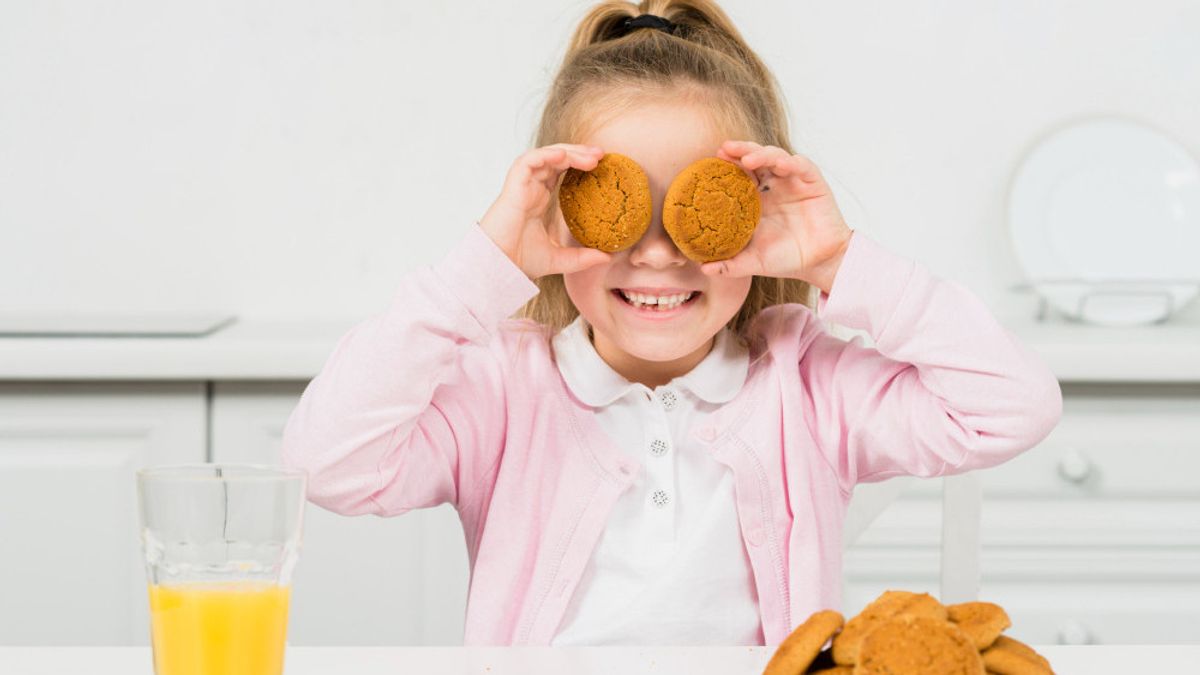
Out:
{"x": 663, "y": 140}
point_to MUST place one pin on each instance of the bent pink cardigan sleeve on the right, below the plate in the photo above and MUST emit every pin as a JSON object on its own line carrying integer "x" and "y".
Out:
{"x": 945, "y": 390}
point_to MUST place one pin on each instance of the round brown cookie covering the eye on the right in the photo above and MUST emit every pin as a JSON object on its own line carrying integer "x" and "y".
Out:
{"x": 711, "y": 210}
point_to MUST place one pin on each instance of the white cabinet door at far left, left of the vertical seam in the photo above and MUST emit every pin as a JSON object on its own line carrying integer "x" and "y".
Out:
{"x": 71, "y": 569}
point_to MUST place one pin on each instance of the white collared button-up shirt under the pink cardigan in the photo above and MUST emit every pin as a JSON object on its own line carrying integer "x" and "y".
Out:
{"x": 670, "y": 568}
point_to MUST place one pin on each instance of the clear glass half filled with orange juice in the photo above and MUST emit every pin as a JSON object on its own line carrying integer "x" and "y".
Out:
{"x": 221, "y": 542}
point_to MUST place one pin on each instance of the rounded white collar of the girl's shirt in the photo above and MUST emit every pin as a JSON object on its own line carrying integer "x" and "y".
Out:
{"x": 717, "y": 379}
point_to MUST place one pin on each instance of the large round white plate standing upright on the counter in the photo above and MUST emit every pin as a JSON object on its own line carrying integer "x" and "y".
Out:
{"x": 1106, "y": 222}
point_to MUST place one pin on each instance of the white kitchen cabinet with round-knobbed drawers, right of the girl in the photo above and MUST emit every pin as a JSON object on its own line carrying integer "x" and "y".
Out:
{"x": 1091, "y": 537}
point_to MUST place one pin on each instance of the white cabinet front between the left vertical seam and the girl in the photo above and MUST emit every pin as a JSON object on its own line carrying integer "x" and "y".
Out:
{"x": 362, "y": 581}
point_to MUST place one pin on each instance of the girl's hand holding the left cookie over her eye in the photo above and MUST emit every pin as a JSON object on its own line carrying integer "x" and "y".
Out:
{"x": 518, "y": 220}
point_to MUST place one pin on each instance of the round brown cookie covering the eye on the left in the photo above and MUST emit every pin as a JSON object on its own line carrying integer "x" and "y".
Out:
{"x": 608, "y": 208}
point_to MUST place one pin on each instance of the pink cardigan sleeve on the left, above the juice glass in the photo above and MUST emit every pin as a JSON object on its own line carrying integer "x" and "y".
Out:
{"x": 409, "y": 410}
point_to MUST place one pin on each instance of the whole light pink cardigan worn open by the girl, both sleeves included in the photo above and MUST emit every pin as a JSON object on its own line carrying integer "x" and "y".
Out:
{"x": 442, "y": 398}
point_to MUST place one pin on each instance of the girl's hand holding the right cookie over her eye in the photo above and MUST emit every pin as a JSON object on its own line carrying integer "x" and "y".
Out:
{"x": 801, "y": 234}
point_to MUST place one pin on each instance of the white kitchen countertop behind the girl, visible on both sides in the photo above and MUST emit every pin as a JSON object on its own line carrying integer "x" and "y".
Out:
{"x": 283, "y": 350}
